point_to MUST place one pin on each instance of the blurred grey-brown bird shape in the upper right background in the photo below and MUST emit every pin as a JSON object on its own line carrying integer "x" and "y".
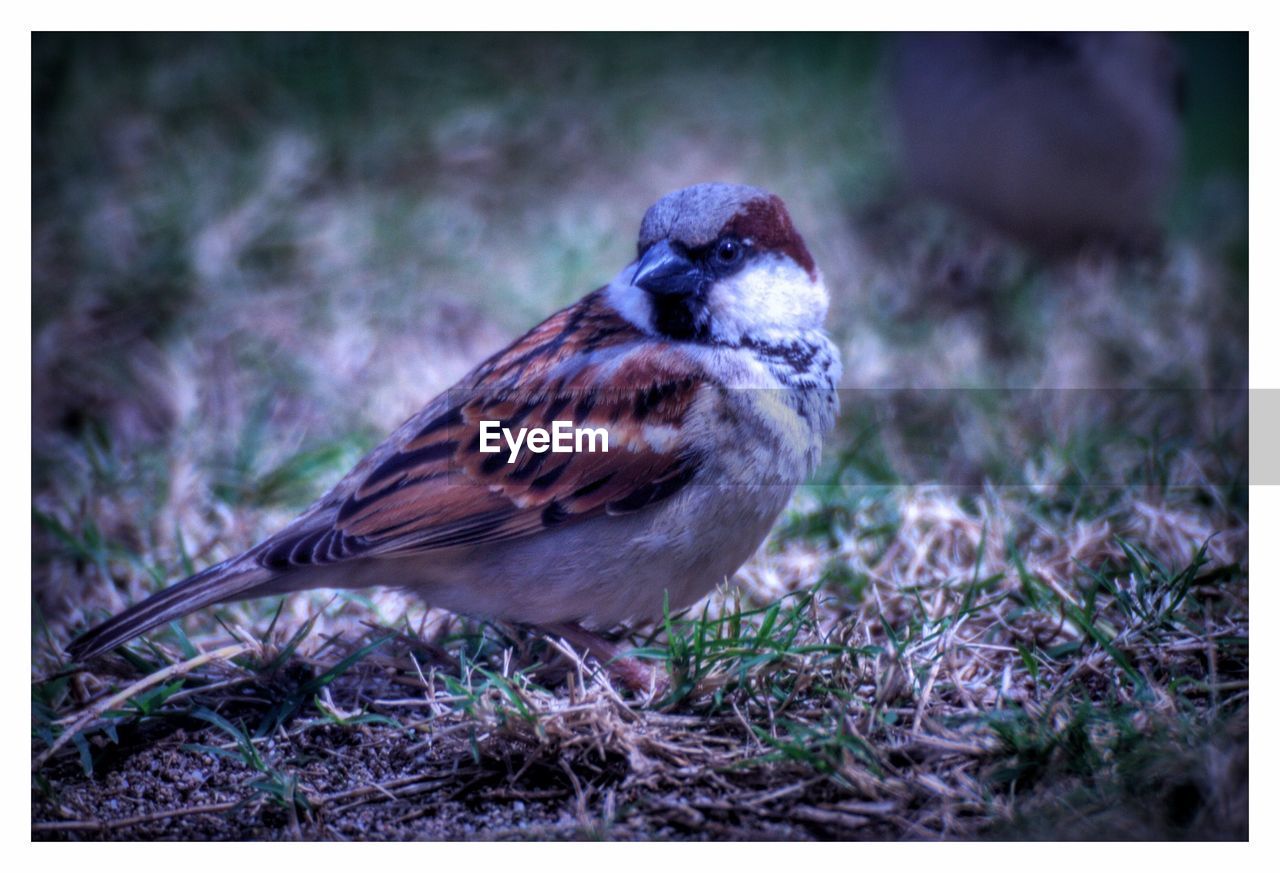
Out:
{"x": 1059, "y": 140}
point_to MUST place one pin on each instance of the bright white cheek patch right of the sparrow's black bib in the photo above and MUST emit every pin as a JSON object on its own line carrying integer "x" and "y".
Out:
{"x": 771, "y": 294}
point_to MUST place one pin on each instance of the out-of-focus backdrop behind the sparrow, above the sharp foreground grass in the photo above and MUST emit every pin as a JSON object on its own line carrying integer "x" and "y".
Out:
{"x": 255, "y": 255}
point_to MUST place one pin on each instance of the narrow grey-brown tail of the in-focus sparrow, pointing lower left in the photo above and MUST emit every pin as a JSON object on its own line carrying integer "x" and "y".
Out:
{"x": 230, "y": 581}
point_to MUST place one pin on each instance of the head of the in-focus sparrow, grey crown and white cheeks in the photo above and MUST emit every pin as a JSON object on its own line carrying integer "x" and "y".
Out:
{"x": 721, "y": 264}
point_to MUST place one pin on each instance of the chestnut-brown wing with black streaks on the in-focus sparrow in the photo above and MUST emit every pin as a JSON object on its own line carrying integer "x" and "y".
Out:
{"x": 431, "y": 487}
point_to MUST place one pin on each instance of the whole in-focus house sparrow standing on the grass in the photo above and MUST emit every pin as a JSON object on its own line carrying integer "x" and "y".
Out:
{"x": 706, "y": 365}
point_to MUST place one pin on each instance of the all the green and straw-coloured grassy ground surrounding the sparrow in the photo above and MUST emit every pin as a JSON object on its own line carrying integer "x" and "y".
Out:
{"x": 1012, "y": 605}
